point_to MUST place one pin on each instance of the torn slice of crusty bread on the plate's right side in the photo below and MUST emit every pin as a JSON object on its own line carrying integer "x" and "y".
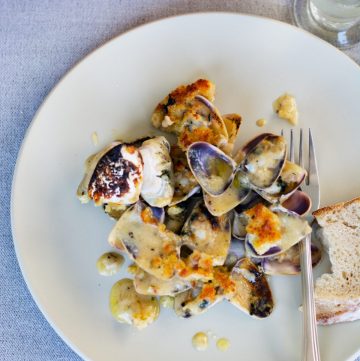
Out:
{"x": 337, "y": 294}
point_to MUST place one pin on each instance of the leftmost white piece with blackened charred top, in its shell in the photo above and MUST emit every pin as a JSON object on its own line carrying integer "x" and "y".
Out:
{"x": 113, "y": 175}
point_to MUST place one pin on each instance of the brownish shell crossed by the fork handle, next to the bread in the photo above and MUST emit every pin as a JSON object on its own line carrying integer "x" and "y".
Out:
{"x": 288, "y": 262}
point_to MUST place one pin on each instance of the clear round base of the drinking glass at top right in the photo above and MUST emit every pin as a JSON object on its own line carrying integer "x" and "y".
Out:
{"x": 342, "y": 39}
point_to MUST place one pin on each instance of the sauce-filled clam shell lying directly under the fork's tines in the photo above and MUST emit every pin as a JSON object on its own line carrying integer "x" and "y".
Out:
{"x": 290, "y": 179}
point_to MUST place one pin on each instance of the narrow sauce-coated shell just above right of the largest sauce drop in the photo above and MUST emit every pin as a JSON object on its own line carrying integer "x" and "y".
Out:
{"x": 146, "y": 284}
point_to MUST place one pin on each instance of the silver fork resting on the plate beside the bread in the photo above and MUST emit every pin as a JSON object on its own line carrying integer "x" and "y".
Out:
{"x": 310, "y": 186}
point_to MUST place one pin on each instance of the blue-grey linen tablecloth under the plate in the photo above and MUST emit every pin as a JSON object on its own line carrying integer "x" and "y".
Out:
{"x": 39, "y": 42}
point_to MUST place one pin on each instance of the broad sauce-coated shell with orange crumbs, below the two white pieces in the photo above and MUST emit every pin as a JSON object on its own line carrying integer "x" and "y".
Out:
{"x": 147, "y": 242}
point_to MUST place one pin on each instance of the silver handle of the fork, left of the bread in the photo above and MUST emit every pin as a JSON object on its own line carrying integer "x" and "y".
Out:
{"x": 310, "y": 337}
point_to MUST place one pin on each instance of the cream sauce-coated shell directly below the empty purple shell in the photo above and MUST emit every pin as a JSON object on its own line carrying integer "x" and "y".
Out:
{"x": 235, "y": 194}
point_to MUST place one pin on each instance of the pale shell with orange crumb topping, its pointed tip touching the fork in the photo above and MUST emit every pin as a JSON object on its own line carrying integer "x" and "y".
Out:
{"x": 292, "y": 229}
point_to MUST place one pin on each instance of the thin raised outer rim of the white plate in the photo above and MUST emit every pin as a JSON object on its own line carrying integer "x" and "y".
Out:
{"x": 58, "y": 84}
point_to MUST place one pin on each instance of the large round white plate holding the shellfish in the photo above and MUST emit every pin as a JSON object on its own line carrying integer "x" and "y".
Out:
{"x": 113, "y": 92}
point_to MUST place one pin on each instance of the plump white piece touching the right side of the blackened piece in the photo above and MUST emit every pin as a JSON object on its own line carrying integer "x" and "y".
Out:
{"x": 158, "y": 177}
